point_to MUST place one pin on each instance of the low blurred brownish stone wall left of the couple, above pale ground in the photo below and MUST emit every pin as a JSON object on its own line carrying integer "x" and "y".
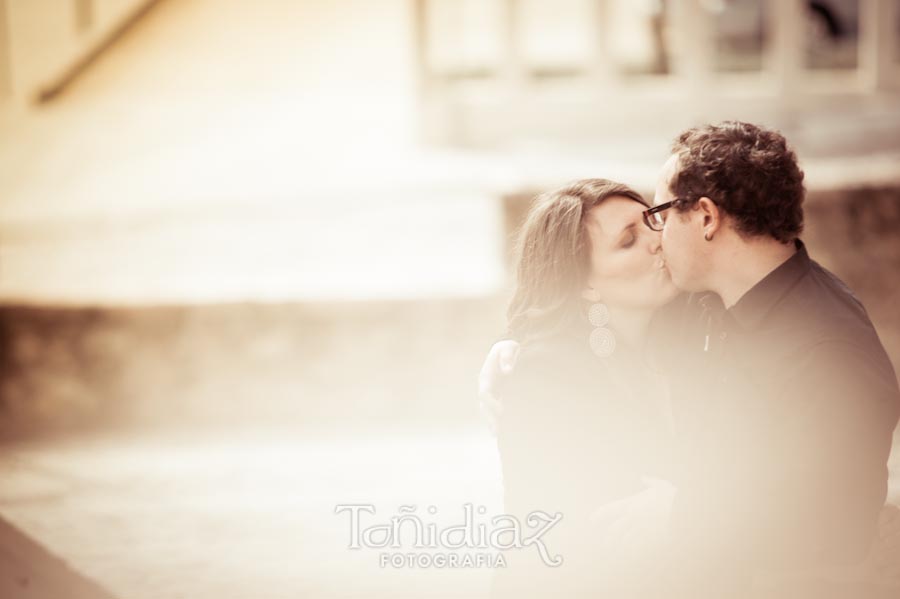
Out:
{"x": 305, "y": 366}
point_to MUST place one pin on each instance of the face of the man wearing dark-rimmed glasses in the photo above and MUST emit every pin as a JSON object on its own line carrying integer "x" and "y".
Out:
{"x": 683, "y": 246}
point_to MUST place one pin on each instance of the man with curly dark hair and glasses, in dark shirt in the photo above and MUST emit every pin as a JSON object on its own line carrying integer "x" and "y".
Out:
{"x": 786, "y": 400}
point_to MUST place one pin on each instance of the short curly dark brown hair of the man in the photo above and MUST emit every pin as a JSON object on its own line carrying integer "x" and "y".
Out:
{"x": 748, "y": 171}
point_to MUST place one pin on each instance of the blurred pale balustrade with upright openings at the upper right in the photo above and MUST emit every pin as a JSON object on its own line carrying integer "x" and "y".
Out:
{"x": 516, "y": 71}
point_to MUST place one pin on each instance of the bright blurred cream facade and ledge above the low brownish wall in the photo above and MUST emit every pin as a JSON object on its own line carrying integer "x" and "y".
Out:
{"x": 209, "y": 111}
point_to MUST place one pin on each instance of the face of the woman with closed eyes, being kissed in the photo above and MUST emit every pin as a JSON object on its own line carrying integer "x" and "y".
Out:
{"x": 627, "y": 269}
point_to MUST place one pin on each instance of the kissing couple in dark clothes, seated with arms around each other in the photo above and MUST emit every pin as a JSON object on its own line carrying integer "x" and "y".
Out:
{"x": 710, "y": 409}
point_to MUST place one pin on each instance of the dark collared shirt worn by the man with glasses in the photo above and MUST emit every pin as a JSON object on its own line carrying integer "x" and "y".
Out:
{"x": 785, "y": 406}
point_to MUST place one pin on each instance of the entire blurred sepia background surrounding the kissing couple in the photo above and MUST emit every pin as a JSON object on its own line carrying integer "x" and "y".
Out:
{"x": 252, "y": 253}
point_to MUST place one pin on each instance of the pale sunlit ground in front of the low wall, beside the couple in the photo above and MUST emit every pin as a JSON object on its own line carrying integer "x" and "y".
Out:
{"x": 194, "y": 516}
